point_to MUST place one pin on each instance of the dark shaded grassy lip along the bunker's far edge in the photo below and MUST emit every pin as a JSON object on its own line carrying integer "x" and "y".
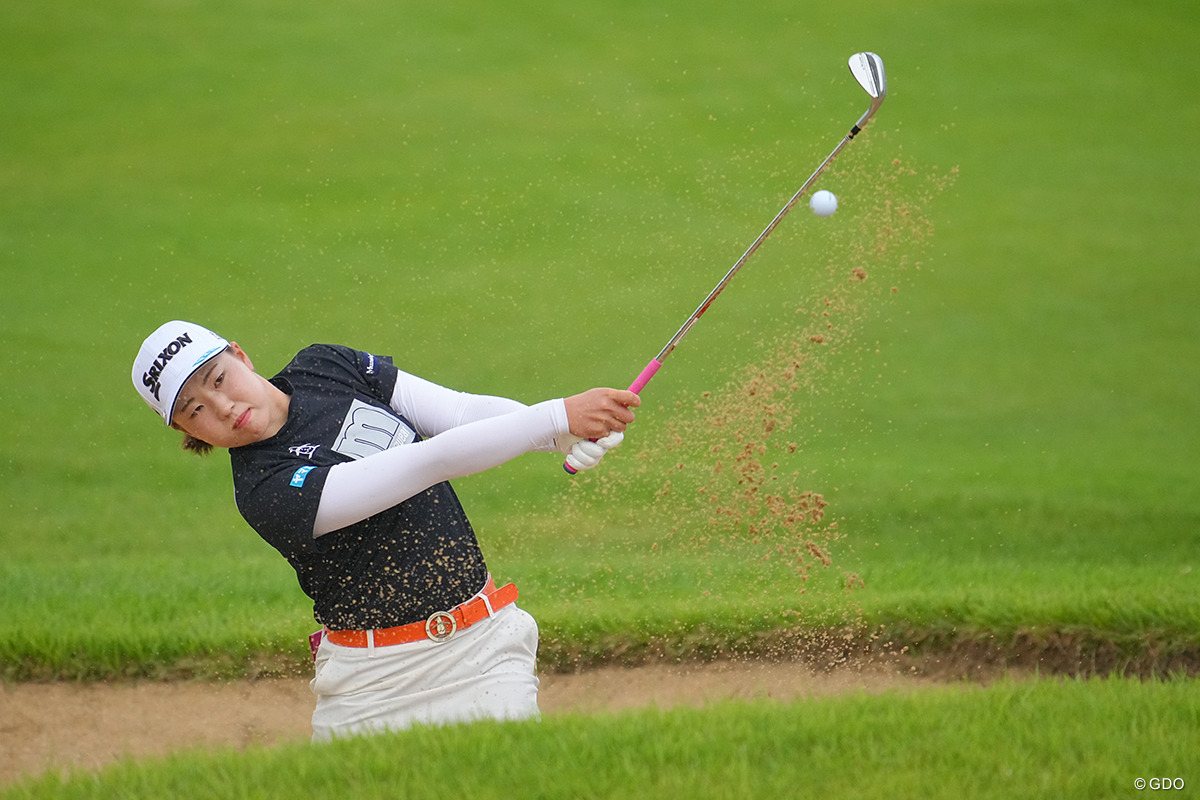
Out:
{"x": 950, "y": 653}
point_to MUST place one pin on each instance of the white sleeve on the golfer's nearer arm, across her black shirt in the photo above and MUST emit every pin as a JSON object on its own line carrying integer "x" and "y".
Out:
{"x": 362, "y": 489}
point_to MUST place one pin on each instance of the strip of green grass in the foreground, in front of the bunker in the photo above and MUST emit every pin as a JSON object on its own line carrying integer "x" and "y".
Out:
{"x": 1049, "y": 739}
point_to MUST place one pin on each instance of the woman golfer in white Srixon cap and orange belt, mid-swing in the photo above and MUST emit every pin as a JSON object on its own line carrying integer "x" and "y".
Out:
{"x": 341, "y": 462}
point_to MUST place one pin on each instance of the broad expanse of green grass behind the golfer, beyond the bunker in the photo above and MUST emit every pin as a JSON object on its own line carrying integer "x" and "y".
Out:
{"x": 527, "y": 202}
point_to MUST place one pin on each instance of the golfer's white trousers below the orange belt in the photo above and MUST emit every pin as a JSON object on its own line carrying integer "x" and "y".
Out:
{"x": 485, "y": 672}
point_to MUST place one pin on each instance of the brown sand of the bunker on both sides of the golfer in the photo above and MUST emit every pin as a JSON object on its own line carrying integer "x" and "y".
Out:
{"x": 58, "y": 726}
